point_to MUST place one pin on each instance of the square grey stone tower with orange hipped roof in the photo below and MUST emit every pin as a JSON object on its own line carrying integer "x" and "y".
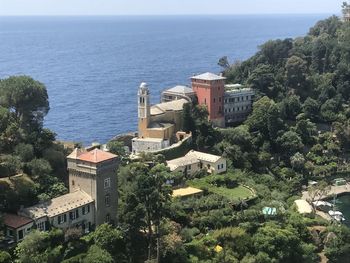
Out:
{"x": 95, "y": 172}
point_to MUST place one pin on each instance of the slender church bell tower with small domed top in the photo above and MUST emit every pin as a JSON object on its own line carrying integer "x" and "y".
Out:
{"x": 144, "y": 109}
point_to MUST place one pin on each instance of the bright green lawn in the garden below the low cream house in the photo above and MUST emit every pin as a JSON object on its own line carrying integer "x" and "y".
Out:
{"x": 239, "y": 192}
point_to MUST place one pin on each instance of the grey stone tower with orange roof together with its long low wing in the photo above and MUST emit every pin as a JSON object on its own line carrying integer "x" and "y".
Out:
{"x": 92, "y": 199}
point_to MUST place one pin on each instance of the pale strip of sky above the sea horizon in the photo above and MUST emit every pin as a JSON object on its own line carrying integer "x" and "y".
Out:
{"x": 167, "y": 7}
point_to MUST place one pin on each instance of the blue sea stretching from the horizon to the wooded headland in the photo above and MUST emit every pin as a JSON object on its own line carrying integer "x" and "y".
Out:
{"x": 92, "y": 66}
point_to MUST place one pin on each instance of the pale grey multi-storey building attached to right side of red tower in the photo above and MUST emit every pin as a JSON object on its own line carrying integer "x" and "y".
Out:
{"x": 237, "y": 103}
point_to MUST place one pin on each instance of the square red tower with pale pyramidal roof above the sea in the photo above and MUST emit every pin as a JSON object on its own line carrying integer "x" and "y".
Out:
{"x": 210, "y": 89}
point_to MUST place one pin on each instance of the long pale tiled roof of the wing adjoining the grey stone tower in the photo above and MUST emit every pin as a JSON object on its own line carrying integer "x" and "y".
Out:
{"x": 59, "y": 205}
